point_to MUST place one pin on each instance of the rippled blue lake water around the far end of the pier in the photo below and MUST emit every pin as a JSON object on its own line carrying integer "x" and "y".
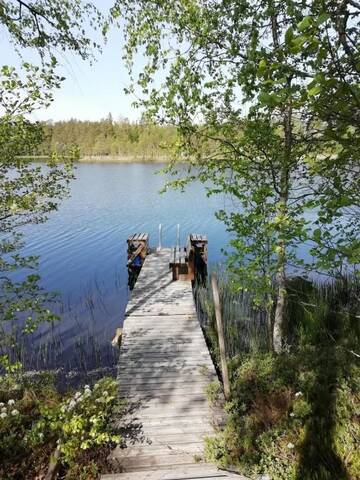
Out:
{"x": 82, "y": 249}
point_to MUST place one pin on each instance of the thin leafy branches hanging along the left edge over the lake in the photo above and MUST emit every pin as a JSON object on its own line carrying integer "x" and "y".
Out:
{"x": 29, "y": 192}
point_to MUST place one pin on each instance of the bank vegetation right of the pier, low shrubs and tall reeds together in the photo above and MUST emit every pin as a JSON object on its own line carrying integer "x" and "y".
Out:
{"x": 293, "y": 416}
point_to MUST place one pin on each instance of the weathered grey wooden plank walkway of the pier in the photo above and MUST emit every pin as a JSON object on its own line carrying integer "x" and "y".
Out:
{"x": 164, "y": 369}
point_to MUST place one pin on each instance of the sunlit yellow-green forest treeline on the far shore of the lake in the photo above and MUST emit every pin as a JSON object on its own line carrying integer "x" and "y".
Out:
{"x": 107, "y": 140}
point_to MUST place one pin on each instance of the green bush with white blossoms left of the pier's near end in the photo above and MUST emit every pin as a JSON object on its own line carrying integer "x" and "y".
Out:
{"x": 35, "y": 419}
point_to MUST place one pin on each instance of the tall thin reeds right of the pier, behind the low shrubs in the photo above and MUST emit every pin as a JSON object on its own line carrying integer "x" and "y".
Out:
{"x": 316, "y": 313}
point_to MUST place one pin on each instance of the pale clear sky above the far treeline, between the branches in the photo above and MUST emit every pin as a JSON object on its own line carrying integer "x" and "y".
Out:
{"x": 90, "y": 92}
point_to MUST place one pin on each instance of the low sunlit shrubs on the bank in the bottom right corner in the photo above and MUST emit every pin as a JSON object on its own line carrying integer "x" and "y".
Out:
{"x": 283, "y": 425}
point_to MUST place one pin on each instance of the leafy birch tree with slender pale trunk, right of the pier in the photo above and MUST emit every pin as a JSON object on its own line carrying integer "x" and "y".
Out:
{"x": 265, "y": 98}
